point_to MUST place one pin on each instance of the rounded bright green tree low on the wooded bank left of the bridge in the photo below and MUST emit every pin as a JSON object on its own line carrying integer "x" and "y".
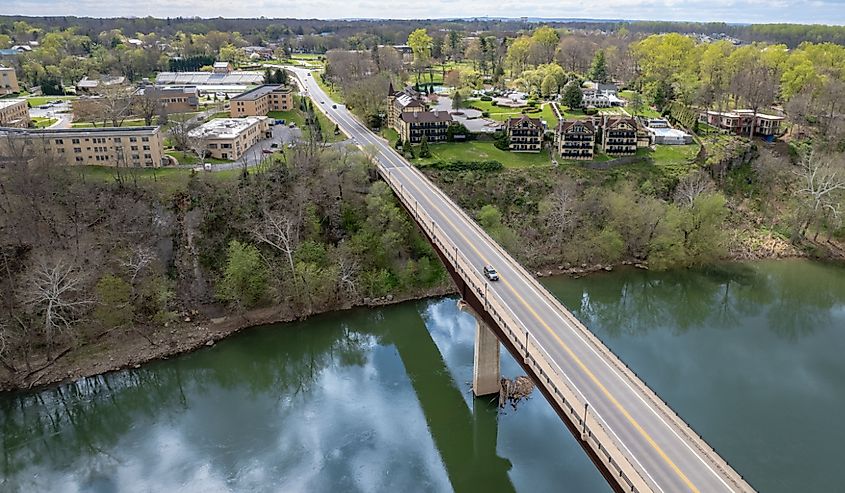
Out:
{"x": 245, "y": 277}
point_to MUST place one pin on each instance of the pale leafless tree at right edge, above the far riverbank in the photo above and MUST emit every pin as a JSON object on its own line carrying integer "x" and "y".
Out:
{"x": 821, "y": 185}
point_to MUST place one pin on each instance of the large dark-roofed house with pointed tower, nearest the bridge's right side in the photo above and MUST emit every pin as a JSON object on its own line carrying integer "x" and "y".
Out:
{"x": 408, "y": 115}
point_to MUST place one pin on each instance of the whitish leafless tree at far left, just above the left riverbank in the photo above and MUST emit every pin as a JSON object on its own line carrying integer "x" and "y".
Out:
{"x": 55, "y": 293}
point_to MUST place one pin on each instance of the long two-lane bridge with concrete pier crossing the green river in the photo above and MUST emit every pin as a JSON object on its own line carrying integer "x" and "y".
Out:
{"x": 634, "y": 438}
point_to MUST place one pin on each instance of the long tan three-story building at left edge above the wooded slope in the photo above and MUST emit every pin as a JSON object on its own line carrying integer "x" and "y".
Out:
{"x": 105, "y": 146}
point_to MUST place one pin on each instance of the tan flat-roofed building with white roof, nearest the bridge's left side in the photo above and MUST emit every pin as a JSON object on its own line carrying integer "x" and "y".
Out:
{"x": 230, "y": 138}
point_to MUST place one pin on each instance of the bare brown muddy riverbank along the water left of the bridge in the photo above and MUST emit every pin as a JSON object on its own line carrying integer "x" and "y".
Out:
{"x": 119, "y": 350}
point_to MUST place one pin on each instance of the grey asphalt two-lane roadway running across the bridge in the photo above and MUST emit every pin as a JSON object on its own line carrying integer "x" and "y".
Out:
{"x": 664, "y": 453}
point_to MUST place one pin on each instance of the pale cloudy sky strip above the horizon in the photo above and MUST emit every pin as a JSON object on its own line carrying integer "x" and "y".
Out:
{"x": 734, "y": 11}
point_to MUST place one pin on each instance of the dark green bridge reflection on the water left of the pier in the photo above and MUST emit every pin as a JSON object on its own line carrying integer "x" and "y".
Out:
{"x": 466, "y": 438}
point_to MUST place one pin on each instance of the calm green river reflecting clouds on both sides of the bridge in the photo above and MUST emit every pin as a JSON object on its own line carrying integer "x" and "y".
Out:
{"x": 751, "y": 355}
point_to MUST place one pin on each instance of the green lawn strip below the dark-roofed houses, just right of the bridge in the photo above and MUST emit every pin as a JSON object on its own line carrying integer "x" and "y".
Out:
{"x": 483, "y": 151}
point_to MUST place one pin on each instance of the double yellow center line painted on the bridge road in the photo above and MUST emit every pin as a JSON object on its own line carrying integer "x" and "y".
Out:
{"x": 569, "y": 351}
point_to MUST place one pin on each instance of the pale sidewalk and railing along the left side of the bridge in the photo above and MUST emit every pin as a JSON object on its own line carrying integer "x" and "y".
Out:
{"x": 594, "y": 430}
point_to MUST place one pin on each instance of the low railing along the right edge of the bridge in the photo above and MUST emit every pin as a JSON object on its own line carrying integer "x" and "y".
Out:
{"x": 691, "y": 436}
